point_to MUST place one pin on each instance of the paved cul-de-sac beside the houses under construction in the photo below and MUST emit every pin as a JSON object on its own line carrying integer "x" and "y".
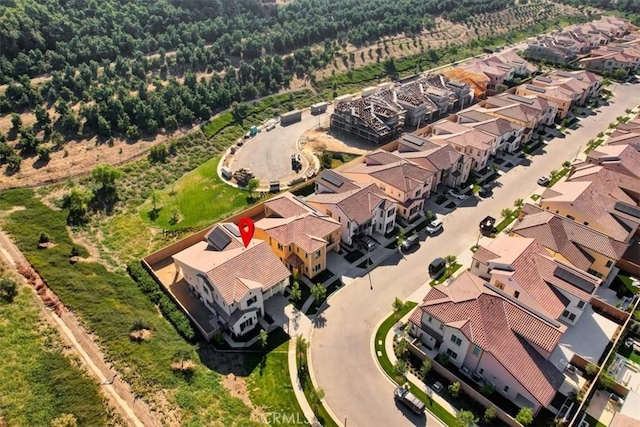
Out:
{"x": 268, "y": 154}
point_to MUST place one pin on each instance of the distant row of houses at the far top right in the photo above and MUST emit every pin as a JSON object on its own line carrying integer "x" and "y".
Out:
{"x": 564, "y": 46}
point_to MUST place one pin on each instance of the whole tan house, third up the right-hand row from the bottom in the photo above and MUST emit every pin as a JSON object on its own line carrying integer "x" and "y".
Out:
{"x": 570, "y": 242}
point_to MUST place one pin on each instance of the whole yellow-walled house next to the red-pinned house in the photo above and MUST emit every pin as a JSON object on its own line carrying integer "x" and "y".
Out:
{"x": 298, "y": 234}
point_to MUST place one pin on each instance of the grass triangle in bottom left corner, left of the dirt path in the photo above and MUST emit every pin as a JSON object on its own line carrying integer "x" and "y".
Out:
{"x": 38, "y": 382}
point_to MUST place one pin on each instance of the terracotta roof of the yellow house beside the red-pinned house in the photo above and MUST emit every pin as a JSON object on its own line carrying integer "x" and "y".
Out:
{"x": 307, "y": 232}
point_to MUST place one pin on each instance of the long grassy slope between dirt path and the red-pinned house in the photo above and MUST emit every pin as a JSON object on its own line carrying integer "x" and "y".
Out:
{"x": 109, "y": 304}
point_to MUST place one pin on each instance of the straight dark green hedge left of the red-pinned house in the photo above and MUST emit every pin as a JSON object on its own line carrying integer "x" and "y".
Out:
{"x": 167, "y": 307}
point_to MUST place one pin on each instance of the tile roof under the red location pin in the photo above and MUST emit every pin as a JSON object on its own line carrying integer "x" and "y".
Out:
{"x": 235, "y": 270}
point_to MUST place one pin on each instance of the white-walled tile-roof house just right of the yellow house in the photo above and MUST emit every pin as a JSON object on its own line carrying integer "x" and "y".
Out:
{"x": 364, "y": 209}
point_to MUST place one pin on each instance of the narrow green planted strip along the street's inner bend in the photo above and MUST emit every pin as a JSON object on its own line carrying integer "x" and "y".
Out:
{"x": 387, "y": 366}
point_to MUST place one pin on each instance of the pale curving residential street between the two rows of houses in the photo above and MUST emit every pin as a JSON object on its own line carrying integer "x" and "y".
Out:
{"x": 341, "y": 346}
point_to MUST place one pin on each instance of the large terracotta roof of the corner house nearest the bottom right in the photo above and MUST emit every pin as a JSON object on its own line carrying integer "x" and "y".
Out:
{"x": 503, "y": 329}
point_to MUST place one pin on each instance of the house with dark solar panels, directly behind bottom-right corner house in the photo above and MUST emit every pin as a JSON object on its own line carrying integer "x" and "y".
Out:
{"x": 524, "y": 269}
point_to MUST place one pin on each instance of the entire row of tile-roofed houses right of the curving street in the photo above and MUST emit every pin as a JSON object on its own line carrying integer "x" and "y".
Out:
{"x": 521, "y": 311}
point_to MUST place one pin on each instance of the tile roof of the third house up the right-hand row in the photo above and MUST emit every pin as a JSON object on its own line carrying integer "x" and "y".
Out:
{"x": 565, "y": 236}
